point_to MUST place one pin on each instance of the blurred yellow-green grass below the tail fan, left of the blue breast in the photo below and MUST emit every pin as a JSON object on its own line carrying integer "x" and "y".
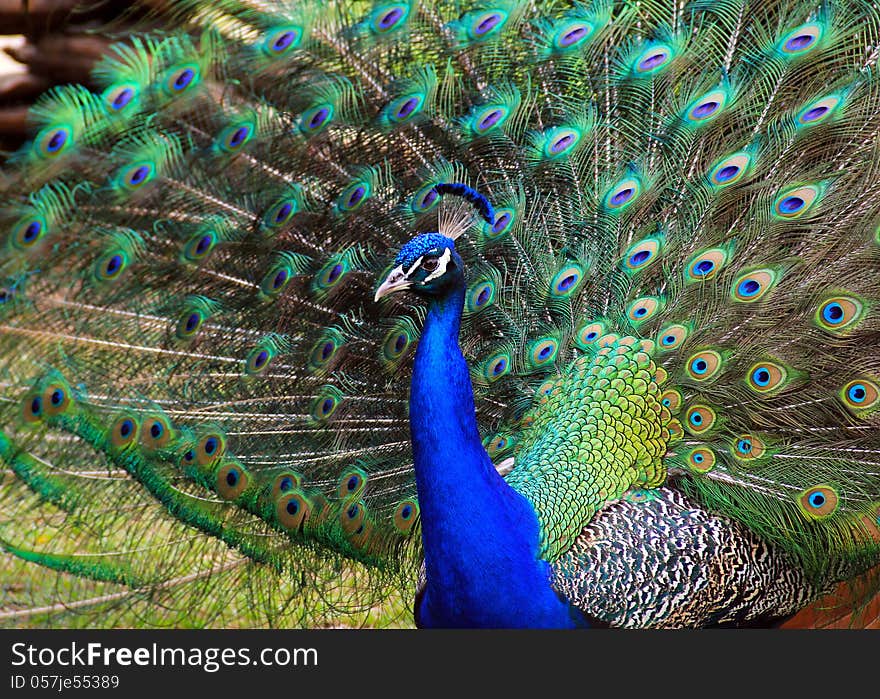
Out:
{"x": 190, "y": 580}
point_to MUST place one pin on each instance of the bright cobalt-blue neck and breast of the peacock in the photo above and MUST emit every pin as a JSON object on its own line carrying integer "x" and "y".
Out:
{"x": 480, "y": 536}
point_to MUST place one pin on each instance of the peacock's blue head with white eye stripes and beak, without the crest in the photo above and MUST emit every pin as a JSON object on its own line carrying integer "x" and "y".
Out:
{"x": 428, "y": 265}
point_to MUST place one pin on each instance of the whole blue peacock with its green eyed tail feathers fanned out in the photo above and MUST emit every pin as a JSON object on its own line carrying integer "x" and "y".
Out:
{"x": 475, "y": 313}
